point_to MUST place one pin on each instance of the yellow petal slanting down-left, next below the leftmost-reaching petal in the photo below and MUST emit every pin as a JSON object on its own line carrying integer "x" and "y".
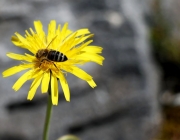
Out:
{"x": 18, "y": 84}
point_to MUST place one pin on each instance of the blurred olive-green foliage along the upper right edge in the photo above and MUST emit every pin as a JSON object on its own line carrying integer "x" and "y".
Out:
{"x": 165, "y": 47}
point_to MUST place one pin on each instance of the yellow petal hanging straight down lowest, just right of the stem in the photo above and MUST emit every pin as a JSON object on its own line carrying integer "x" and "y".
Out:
{"x": 54, "y": 89}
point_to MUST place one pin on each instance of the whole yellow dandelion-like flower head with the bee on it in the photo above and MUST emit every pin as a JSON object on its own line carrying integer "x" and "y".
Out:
{"x": 52, "y": 56}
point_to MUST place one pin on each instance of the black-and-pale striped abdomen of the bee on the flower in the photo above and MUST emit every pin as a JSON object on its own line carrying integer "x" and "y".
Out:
{"x": 56, "y": 56}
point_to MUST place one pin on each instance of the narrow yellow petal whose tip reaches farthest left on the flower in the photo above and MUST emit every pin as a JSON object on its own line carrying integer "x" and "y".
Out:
{"x": 16, "y": 69}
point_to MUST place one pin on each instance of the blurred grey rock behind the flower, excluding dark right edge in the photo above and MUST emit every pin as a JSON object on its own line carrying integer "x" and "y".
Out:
{"x": 123, "y": 106}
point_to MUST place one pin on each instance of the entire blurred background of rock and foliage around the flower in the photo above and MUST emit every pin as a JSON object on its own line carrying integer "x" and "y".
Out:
{"x": 137, "y": 94}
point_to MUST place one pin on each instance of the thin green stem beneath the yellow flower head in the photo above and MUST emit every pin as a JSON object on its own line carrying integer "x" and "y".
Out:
{"x": 48, "y": 115}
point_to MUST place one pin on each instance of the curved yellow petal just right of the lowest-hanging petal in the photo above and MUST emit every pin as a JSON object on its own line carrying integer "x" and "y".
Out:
{"x": 64, "y": 86}
